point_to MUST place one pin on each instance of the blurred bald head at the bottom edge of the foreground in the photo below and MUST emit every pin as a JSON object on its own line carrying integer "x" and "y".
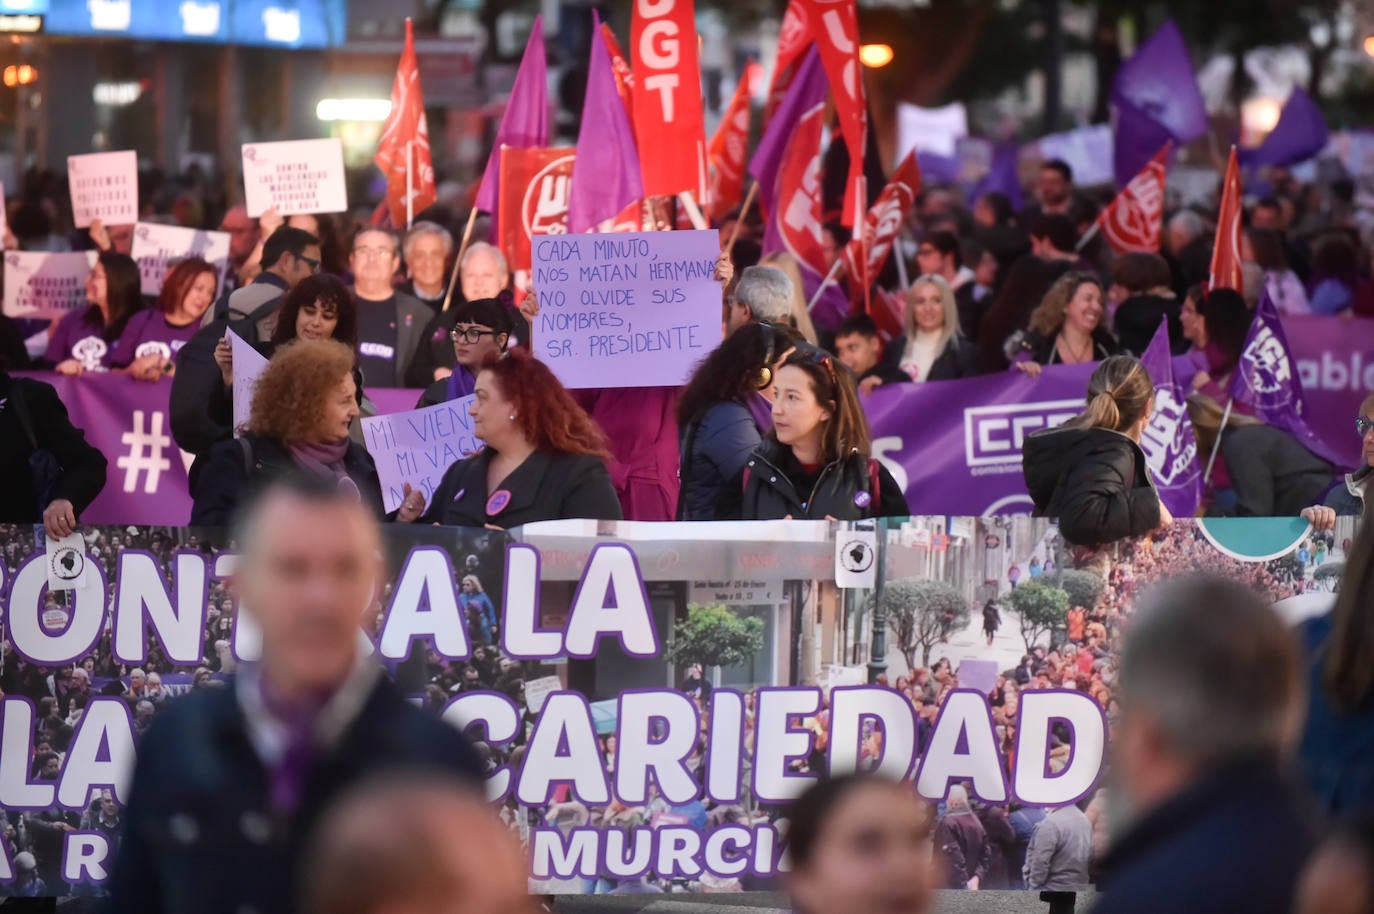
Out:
{"x": 416, "y": 847}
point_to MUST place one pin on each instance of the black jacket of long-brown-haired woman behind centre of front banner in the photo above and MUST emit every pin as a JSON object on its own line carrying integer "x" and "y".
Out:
{"x": 774, "y": 486}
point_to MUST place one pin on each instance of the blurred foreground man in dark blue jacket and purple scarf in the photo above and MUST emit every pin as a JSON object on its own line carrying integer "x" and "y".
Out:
{"x": 230, "y": 781}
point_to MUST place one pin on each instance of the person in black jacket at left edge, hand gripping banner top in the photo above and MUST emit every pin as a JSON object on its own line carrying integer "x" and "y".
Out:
{"x": 68, "y": 473}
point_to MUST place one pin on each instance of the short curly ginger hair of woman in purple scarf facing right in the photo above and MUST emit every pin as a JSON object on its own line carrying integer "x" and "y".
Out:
{"x": 292, "y": 392}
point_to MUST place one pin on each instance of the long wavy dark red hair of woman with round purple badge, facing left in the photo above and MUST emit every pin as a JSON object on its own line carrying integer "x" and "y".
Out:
{"x": 546, "y": 413}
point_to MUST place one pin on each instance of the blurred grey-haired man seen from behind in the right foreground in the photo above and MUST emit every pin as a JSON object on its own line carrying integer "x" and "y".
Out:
{"x": 1214, "y": 825}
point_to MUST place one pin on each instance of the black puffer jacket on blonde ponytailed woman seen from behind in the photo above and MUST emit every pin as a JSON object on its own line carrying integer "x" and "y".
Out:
{"x": 1094, "y": 480}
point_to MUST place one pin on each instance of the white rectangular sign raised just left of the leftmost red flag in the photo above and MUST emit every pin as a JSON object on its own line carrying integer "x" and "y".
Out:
{"x": 296, "y": 177}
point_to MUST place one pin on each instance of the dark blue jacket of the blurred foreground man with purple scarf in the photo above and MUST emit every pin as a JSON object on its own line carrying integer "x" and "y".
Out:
{"x": 200, "y": 831}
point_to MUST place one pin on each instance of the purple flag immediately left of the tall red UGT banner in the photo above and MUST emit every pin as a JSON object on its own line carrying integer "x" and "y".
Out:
{"x": 607, "y": 177}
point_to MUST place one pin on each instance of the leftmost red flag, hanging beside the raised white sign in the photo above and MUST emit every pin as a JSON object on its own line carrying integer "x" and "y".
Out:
{"x": 403, "y": 152}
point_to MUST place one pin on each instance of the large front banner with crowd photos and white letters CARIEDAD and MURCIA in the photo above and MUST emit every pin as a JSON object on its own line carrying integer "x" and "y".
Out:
{"x": 634, "y": 688}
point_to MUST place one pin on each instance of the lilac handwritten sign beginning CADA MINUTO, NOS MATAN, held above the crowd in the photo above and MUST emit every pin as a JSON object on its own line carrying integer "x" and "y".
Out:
{"x": 627, "y": 310}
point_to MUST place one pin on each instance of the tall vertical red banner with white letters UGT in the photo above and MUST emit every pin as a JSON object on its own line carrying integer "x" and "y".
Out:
{"x": 670, "y": 126}
